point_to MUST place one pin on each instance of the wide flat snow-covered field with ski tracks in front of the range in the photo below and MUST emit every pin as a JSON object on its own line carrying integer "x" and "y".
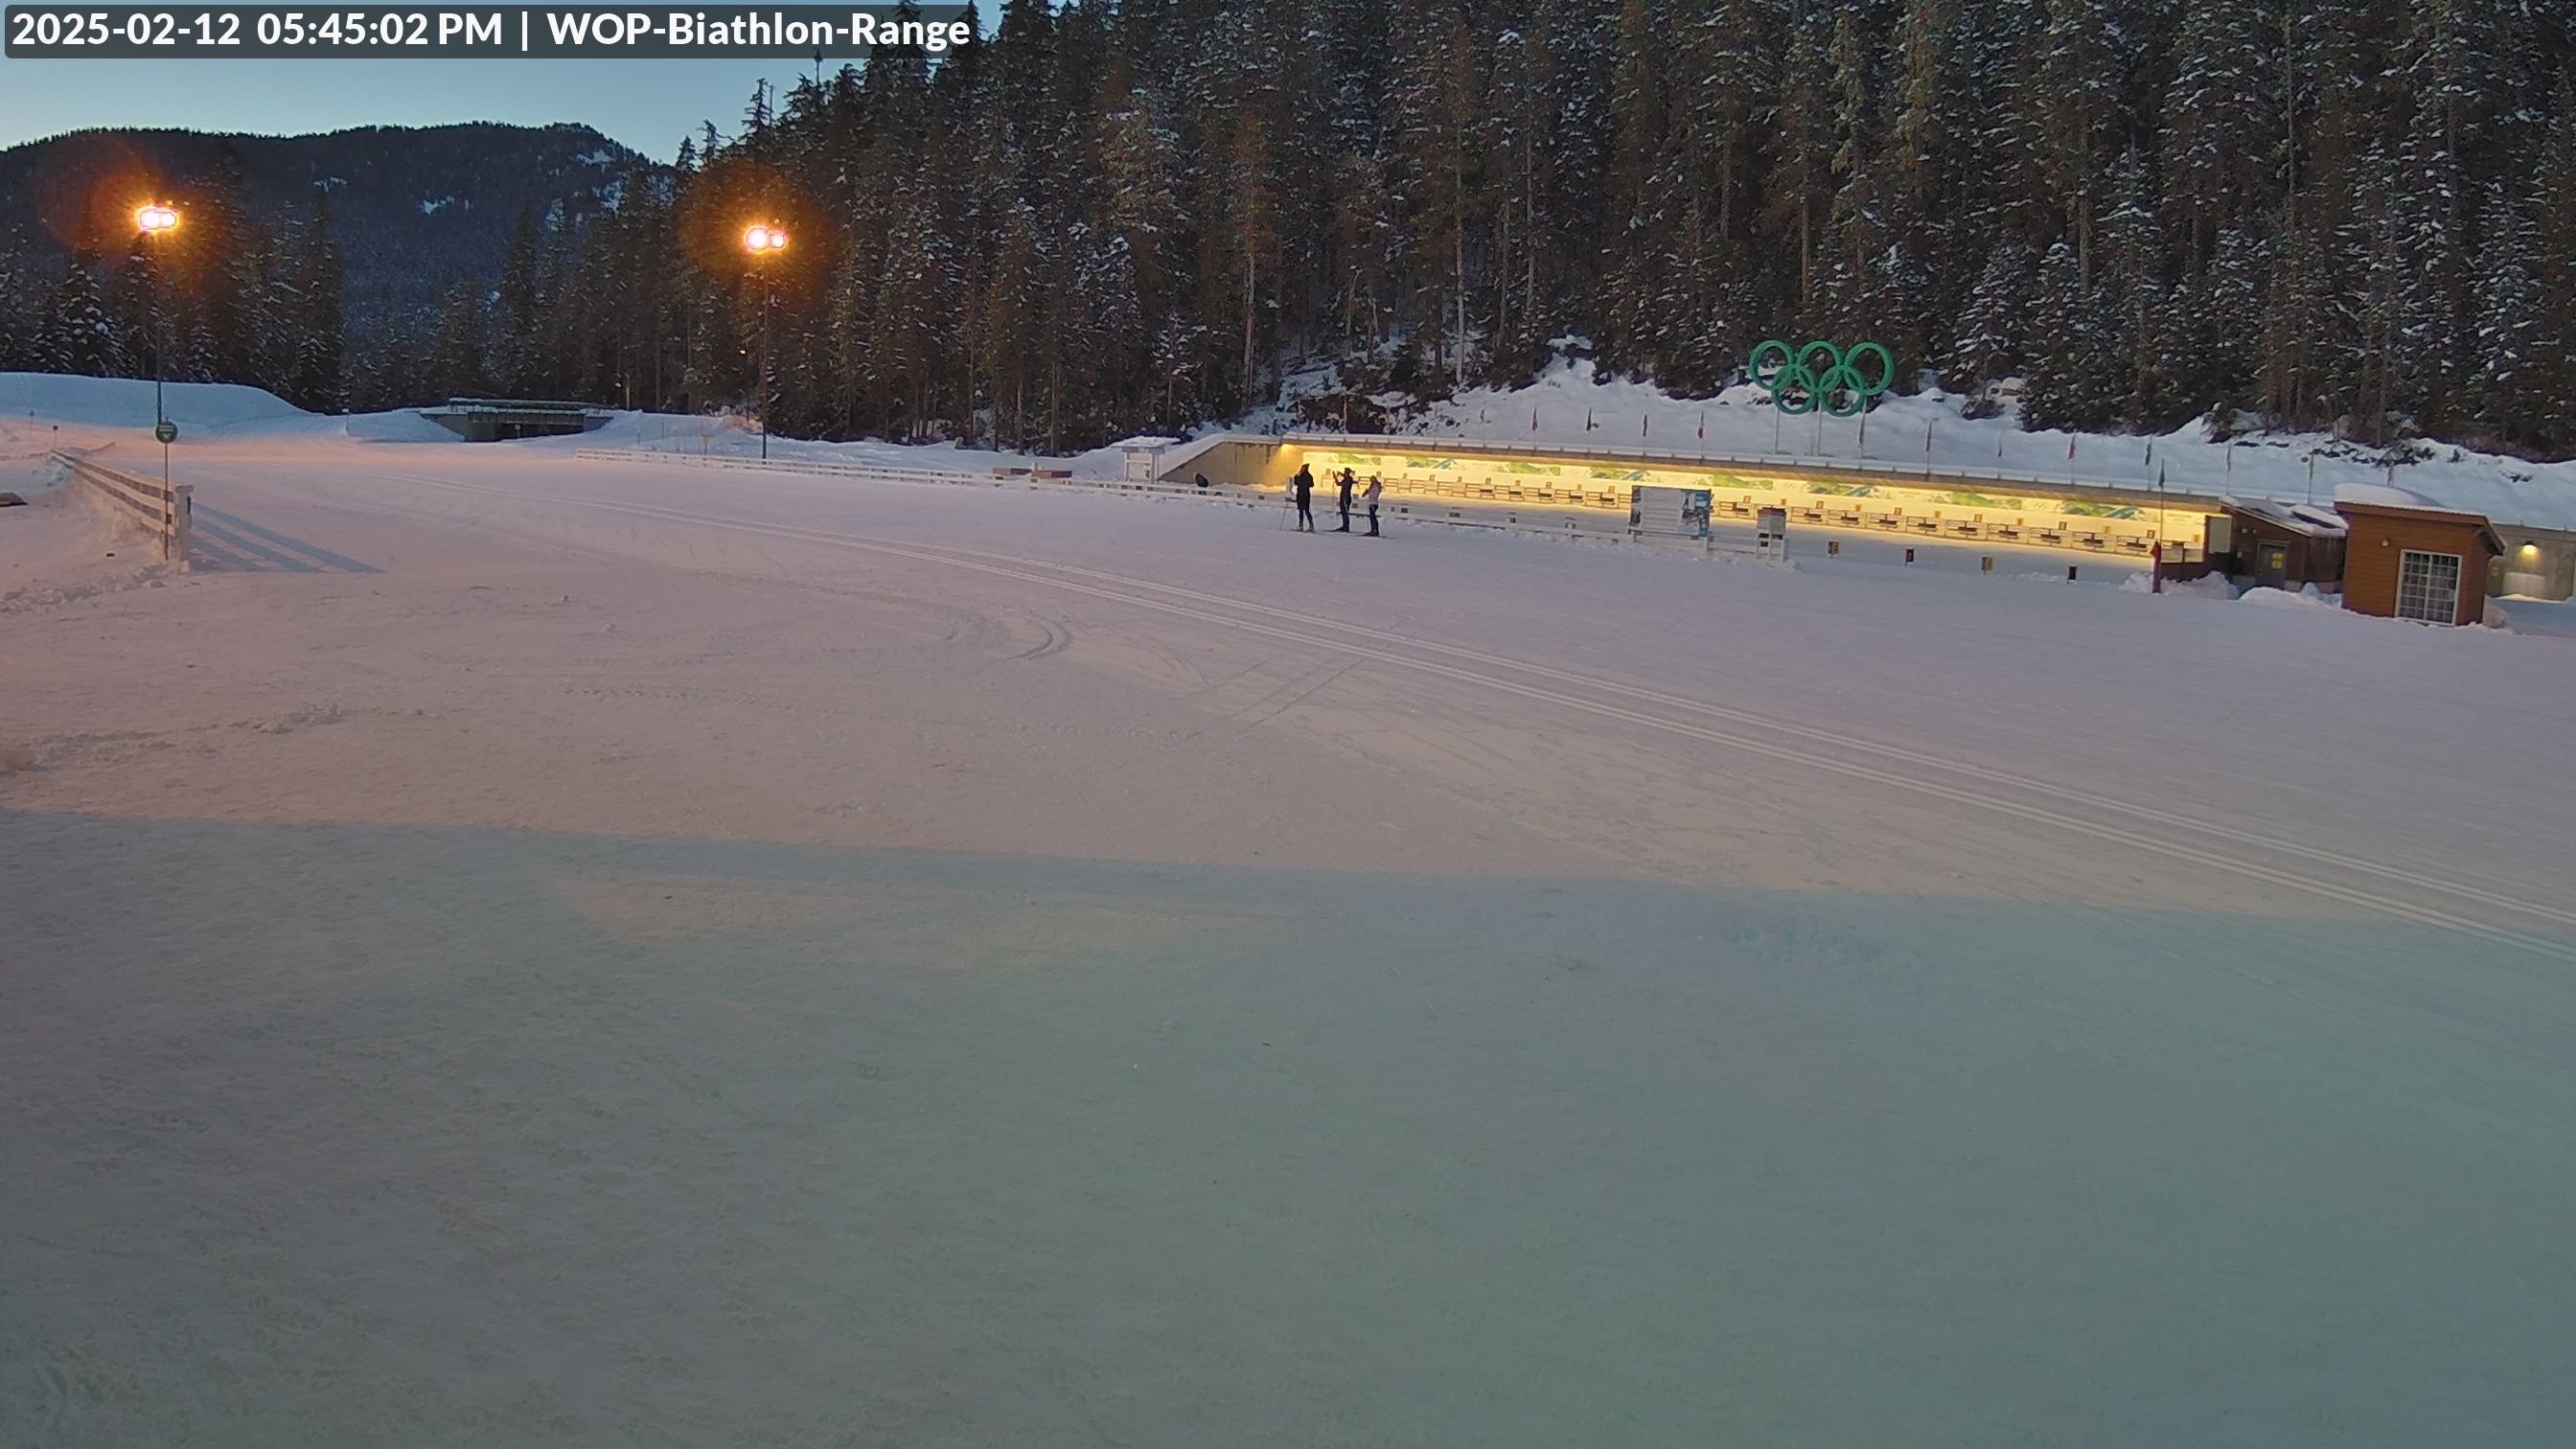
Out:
{"x": 547, "y": 950}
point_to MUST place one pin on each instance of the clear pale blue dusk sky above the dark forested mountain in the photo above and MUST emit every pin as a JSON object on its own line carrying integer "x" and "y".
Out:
{"x": 648, "y": 104}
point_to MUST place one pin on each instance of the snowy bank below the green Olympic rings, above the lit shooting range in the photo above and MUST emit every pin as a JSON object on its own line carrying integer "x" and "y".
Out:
{"x": 1578, "y": 409}
